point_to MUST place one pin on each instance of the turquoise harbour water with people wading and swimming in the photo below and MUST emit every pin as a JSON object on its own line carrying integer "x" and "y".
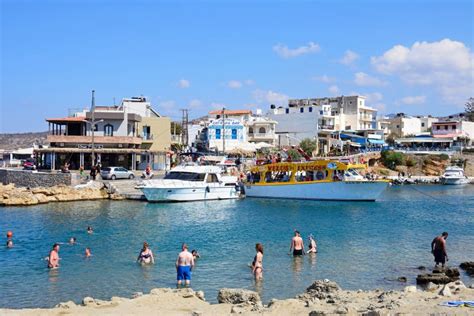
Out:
{"x": 360, "y": 244}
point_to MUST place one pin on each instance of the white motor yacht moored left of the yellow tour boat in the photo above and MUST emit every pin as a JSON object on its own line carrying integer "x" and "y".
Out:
{"x": 191, "y": 183}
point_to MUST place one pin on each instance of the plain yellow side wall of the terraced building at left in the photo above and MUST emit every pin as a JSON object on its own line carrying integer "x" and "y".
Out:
{"x": 161, "y": 131}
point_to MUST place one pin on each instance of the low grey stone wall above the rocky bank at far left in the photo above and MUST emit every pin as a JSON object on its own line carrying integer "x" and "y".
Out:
{"x": 26, "y": 178}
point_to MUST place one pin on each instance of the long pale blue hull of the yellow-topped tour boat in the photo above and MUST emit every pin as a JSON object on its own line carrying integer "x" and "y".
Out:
{"x": 332, "y": 191}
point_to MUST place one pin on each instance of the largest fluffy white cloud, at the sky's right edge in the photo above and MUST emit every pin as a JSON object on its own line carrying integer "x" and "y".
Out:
{"x": 446, "y": 65}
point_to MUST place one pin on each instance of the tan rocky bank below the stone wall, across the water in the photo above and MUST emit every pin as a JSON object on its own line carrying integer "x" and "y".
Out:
{"x": 10, "y": 195}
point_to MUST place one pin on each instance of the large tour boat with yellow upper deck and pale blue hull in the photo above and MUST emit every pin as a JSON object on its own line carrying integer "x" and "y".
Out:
{"x": 314, "y": 180}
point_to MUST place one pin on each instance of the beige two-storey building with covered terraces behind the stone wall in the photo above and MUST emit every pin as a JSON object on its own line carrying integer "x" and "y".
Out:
{"x": 130, "y": 135}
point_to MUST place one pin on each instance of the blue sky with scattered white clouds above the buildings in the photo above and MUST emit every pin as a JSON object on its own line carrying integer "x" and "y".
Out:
{"x": 411, "y": 56}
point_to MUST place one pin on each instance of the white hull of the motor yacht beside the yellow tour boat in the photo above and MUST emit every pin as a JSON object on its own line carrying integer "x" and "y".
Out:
{"x": 188, "y": 194}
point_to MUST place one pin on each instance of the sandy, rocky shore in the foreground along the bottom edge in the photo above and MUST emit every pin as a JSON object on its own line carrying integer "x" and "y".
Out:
{"x": 323, "y": 297}
